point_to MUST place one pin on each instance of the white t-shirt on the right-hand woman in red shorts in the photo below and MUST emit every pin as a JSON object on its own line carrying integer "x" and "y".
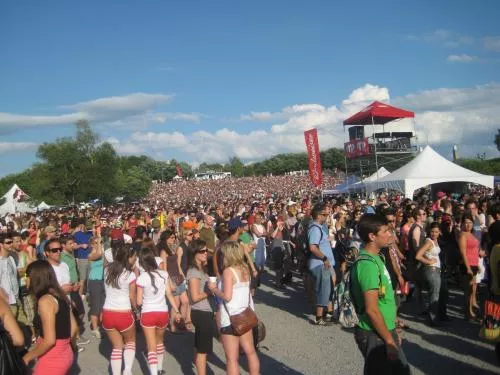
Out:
{"x": 152, "y": 301}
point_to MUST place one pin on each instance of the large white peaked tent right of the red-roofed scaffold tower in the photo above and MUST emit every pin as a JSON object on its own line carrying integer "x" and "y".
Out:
{"x": 427, "y": 168}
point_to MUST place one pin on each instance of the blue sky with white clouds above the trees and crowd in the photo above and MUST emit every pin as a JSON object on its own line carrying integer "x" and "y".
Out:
{"x": 204, "y": 81}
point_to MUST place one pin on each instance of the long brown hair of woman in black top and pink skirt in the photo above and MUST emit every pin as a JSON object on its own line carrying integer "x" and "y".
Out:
{"x": 43, "y": 280}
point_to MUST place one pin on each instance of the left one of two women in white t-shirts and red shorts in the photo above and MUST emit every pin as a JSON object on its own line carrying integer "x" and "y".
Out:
{"x": 117, "y": 315}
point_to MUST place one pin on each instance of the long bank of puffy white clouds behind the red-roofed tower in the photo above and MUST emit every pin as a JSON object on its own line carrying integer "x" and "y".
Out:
{"x": 468, "y": 117}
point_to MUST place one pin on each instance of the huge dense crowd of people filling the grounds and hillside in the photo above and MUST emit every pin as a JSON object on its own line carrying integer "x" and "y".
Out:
{"x": 191, "y": 255}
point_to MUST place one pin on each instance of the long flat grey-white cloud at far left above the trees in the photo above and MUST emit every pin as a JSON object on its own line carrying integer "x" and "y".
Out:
{"x": 115, "y": 111}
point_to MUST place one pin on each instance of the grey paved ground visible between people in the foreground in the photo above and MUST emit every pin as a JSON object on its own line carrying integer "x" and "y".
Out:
{"x": 295, "y": 346}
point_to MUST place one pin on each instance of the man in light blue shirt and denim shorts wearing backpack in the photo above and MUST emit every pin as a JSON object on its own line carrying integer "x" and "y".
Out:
{"x": 321, "y": 264}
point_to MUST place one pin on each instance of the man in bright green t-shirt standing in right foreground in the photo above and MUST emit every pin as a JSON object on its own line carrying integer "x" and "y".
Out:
{"x": 373, "y": 297}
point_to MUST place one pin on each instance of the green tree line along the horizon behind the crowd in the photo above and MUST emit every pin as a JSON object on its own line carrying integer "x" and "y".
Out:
{"x": 82, "y": 168}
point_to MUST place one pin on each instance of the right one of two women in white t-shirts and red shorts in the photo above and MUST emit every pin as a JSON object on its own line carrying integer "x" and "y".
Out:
{"x": 152, "y": 287}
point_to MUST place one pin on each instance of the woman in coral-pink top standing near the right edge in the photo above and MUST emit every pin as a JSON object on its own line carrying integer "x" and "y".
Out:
{"x": 470, "y": 252}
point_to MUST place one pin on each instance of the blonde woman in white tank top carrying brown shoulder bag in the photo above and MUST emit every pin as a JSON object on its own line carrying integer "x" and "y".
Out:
{"x": 235, "y": 294}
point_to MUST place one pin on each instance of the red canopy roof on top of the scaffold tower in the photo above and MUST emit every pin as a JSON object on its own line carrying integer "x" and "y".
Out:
{"x": 378, "y": 113}
